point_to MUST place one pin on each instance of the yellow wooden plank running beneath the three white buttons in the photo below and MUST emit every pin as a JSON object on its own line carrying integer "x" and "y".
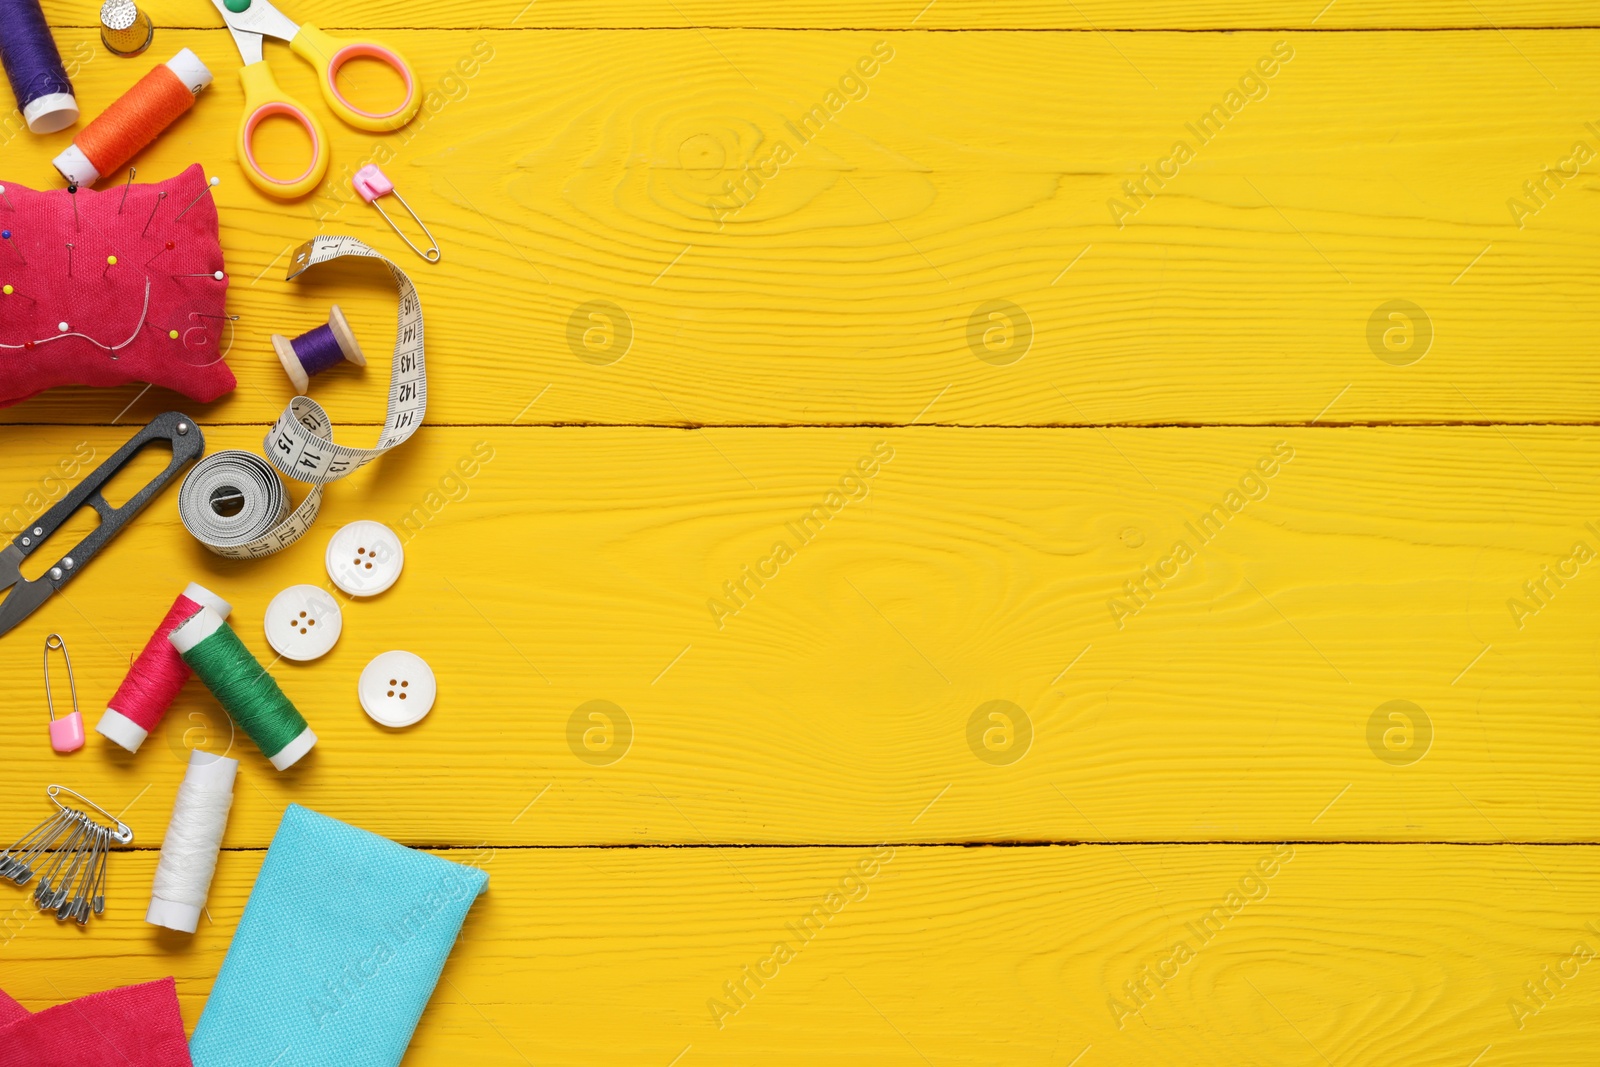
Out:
{"x": 834, "y": 706}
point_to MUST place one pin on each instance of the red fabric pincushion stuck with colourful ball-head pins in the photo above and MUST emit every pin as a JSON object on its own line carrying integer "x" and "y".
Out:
{"x": 108, "y": 305}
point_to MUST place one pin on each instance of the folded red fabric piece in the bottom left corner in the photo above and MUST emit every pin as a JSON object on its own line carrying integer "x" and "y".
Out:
{"x": 135, "y": 1026}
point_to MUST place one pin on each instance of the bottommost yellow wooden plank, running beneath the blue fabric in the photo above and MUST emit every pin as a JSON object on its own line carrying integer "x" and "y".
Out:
{"x": 1404, "y": 957}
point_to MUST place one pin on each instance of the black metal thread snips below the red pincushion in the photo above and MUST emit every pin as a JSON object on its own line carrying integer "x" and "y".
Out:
{"x": 175, "y": 430}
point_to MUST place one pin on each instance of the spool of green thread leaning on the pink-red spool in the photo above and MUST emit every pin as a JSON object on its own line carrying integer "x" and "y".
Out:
{"x": 244, "y": 689}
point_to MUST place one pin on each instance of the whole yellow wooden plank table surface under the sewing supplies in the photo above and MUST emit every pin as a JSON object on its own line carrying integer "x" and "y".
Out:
{"x": 999, "y": 465}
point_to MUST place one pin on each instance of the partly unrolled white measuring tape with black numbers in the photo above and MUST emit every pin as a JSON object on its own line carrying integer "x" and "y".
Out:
{"x": 234, "y": 503}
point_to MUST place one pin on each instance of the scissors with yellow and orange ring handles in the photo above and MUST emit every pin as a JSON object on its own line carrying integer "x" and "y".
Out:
{"x": 254, "y": 20}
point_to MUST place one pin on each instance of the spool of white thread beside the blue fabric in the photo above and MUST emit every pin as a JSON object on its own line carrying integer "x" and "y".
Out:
{"x": 194, "y": 837}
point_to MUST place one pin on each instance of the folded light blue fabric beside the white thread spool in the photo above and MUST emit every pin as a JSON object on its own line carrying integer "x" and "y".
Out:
{"x": 338, "y": 951}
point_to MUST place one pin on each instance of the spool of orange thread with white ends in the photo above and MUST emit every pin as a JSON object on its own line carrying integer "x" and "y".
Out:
{"x": 135, "y": 119}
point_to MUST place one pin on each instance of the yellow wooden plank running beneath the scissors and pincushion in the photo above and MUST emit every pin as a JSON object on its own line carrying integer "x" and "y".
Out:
{"x": 1378, "y": 167}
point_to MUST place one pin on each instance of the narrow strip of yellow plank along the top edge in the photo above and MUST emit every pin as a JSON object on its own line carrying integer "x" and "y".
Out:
{"x": 924, "y": 15}
